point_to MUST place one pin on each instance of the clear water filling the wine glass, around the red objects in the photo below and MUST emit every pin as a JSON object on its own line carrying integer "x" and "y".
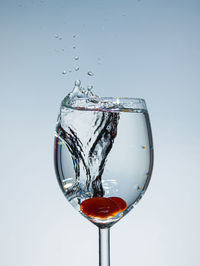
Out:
{"x": 103, "y": 154}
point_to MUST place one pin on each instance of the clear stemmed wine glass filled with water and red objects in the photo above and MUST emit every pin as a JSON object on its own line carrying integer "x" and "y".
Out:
{"x": 103, "y": 159}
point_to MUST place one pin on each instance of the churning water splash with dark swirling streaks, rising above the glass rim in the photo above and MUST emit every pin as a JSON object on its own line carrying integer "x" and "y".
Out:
{"x": 89, "y": 137}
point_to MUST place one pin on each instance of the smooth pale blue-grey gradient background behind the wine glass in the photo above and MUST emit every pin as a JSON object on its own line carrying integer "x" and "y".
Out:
{"x": 148, "y": 49}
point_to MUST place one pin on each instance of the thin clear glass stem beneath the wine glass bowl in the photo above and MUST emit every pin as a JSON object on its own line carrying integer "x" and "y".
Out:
{"x": 104, "y": 246}
